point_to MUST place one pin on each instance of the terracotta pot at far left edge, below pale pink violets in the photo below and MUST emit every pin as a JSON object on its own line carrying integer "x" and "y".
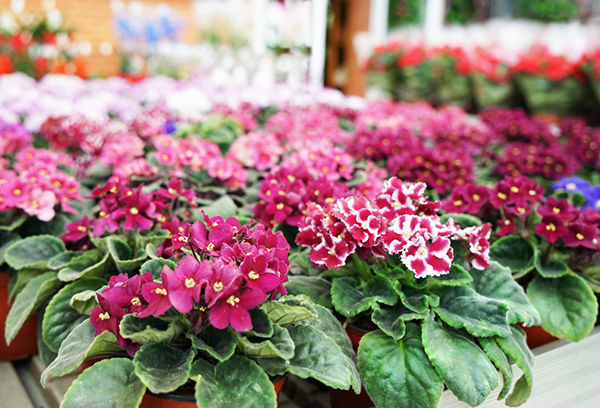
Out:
{"x": 25, "y": 343}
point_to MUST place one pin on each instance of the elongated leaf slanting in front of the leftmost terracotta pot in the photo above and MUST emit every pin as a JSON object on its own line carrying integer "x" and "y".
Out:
{"x": 36, "y": 293}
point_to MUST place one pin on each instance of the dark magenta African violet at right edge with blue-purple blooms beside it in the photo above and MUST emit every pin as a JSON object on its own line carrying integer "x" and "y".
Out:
{"x": 549, "y": 245}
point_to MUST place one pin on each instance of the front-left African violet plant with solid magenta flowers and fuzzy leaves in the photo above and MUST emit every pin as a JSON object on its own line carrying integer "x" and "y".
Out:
{"x": 212, "y": 324}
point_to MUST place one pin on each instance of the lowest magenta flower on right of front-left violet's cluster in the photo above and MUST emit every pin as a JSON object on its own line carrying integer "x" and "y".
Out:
{"x": 234, "y": 309}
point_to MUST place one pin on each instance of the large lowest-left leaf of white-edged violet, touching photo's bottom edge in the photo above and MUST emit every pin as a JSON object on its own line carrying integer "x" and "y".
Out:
{"x": 398, "y": 374}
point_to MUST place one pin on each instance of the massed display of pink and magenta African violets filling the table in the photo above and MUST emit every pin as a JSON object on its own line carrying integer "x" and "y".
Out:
{"x": 208, "y": 257}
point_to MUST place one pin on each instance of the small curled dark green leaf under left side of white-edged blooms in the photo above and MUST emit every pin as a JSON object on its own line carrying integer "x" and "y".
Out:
{"x": 350, "y": 301}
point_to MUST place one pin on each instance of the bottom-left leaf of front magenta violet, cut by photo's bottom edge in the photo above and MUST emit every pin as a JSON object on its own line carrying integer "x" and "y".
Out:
{"x": 110, "y": 383}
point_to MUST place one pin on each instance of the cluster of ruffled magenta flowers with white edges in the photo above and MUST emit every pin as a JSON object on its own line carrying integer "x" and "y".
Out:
{"x": 400, "y": 220}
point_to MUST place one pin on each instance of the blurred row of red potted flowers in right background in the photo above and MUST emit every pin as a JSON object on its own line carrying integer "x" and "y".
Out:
{"x": 542, "y": 82}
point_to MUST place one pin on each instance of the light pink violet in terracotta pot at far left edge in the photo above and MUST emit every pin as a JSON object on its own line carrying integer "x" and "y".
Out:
{"x": 36, "y": 194}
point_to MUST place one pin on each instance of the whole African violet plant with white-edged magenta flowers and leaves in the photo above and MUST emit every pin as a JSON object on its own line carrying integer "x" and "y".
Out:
{"x": 437, "y": 311}
